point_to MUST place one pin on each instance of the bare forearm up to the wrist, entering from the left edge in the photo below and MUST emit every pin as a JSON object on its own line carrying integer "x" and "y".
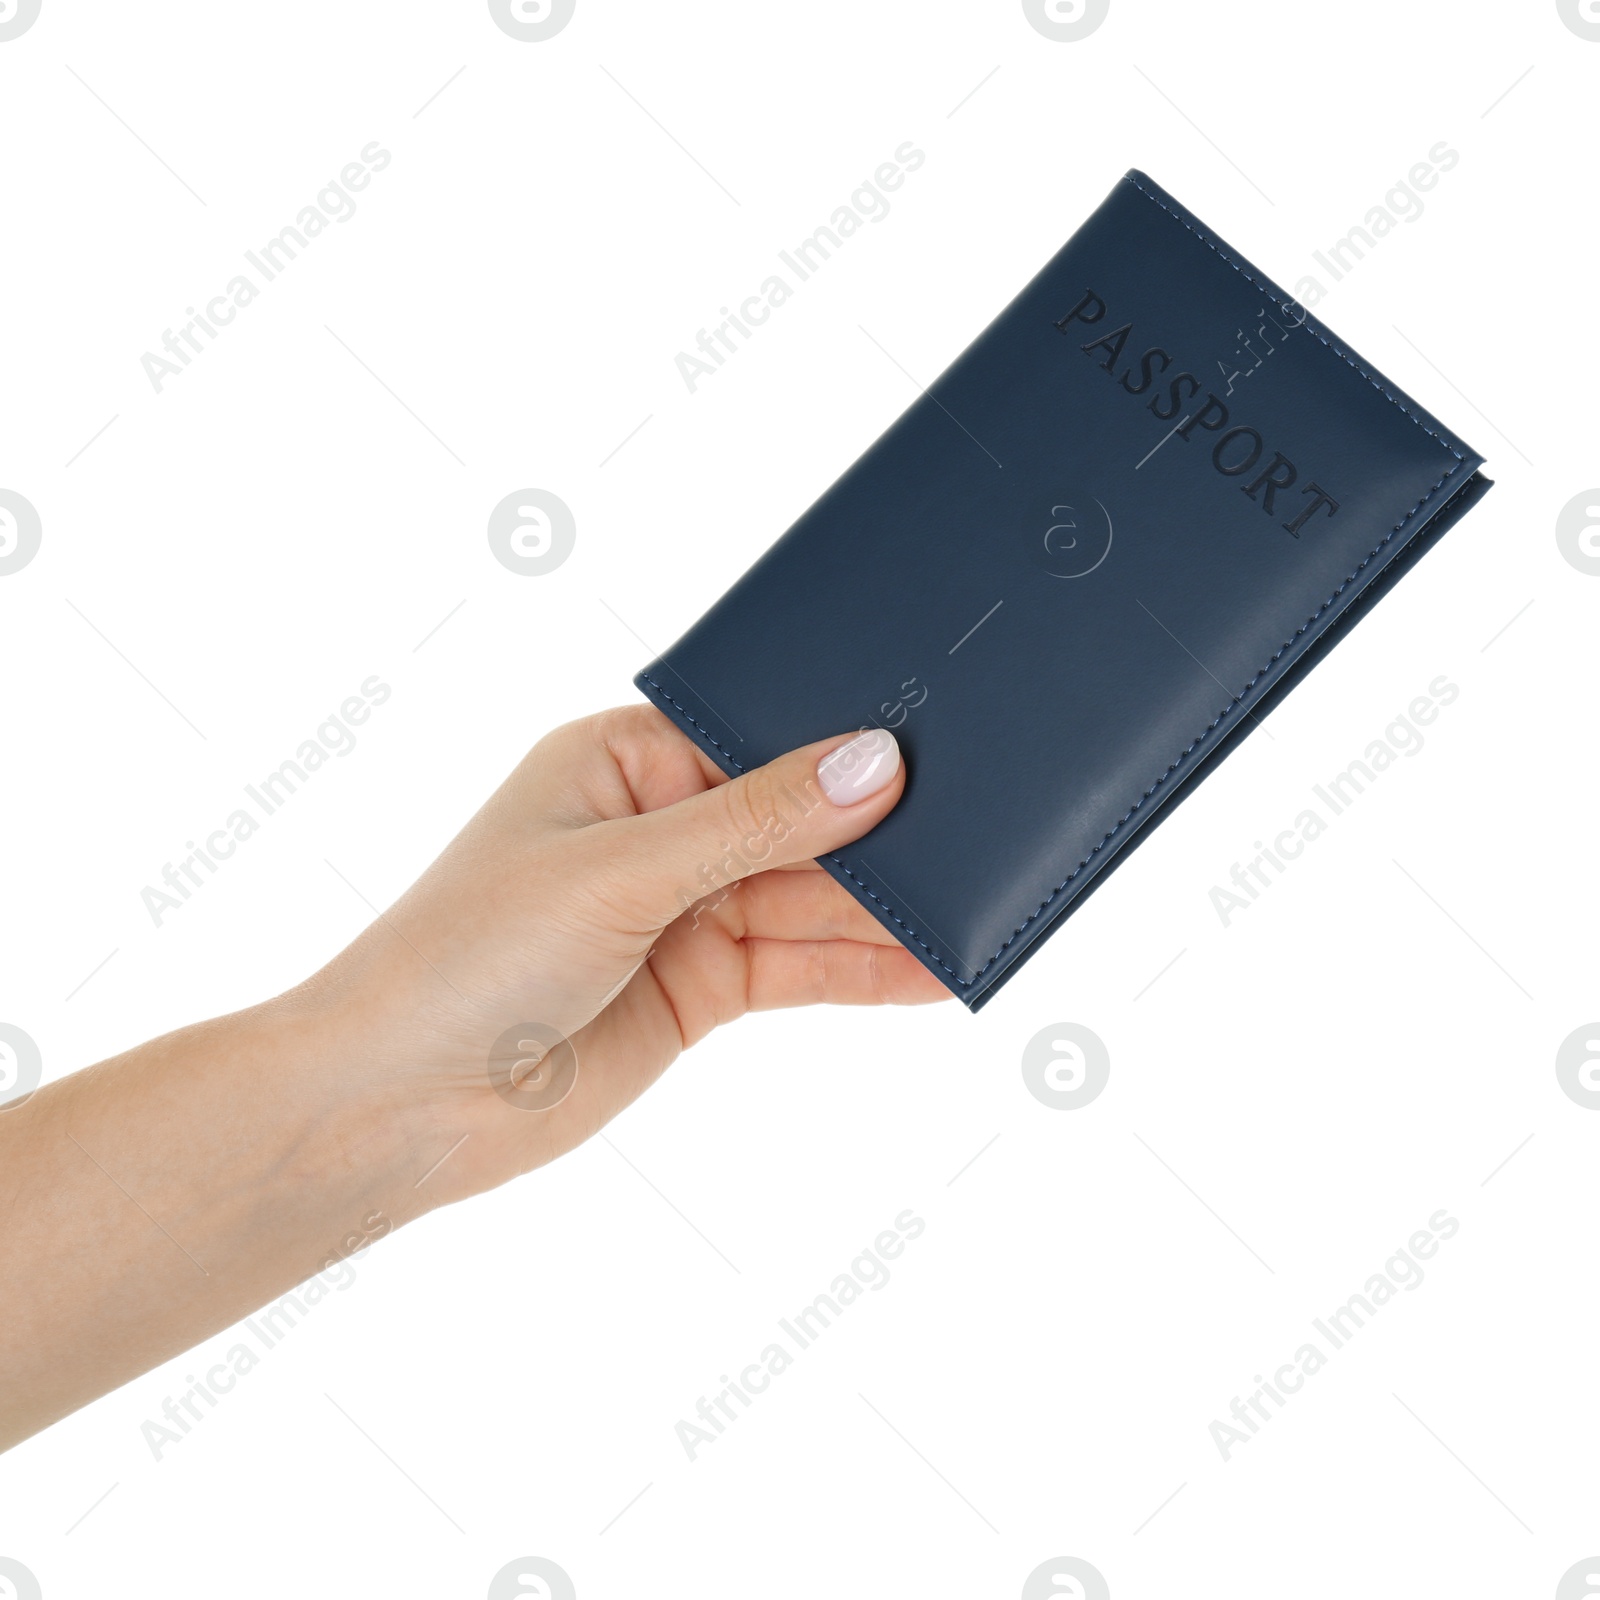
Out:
{"x": 159, "y": 1198}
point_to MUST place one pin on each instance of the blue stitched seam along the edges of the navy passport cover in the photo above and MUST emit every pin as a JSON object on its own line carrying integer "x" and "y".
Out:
{"x": 1223, "y": 714}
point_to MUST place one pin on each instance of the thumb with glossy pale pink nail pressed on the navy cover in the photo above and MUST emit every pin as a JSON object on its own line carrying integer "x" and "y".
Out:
{"x": 806, "y": 804}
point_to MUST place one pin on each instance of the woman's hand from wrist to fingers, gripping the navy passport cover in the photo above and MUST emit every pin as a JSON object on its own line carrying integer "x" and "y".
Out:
{"x": 612, "y": 905}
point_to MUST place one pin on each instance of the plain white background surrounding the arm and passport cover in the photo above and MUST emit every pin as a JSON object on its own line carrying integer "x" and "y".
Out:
{"x": 1290, "y": 1100}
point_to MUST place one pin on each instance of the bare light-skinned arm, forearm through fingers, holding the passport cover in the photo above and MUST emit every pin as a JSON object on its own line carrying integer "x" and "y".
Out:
{"x": 617, "y": 889}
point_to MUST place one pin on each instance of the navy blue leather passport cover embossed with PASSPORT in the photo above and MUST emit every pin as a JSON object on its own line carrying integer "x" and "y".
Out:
{"x": 1082, "y": 566}
